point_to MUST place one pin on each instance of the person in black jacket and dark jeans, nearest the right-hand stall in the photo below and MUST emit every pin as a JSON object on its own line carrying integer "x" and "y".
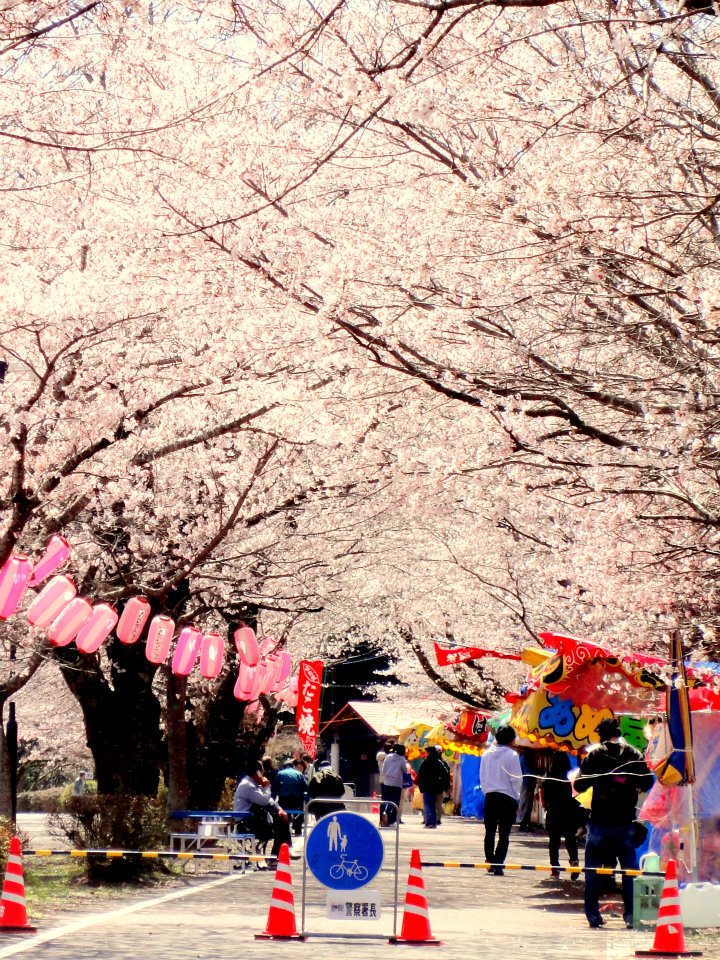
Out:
{"x": 617, "y": 773}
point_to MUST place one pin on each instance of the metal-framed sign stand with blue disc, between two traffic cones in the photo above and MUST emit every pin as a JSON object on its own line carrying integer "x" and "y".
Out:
{"x": 334, "y": 869}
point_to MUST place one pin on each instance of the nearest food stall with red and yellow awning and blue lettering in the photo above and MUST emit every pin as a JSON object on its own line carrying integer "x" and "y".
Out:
{"x": 668, "y": 710}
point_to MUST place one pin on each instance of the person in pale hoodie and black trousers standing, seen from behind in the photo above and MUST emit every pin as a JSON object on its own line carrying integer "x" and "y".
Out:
{"x": 501, "y": 783}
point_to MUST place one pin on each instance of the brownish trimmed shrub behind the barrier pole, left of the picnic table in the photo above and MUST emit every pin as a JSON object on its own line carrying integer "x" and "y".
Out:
{"x": 116, "y": 822}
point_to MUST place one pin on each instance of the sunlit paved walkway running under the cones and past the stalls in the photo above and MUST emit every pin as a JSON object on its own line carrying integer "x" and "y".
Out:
{"x": 215, "y": 913}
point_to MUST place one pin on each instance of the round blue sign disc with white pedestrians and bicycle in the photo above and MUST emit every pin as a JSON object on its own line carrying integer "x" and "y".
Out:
{"x": 344, "y": 851}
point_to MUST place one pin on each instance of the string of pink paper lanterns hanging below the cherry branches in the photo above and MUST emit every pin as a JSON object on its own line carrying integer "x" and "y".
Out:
{"x": 67, "y": 617}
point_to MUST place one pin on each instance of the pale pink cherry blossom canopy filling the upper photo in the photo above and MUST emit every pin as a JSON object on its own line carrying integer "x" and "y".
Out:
{"x": 393, "y": 315}
